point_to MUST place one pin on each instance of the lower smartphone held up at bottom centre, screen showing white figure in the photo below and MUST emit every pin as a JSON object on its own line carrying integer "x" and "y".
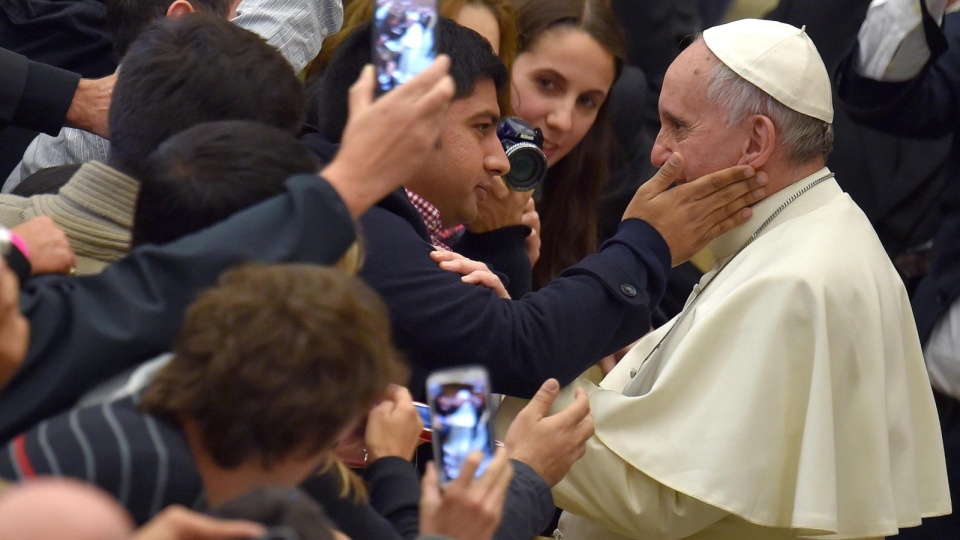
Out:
{"x": 460, "y": 418}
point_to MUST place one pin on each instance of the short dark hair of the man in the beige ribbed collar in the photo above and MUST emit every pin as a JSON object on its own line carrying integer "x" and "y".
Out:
{"x": 197, "y": 68}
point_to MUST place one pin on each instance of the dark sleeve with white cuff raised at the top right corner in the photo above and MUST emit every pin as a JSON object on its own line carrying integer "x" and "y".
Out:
{"x": 925, "y": 107}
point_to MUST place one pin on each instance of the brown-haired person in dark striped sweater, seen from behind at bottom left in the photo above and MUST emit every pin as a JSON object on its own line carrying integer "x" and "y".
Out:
{"x": 270, "y": 367}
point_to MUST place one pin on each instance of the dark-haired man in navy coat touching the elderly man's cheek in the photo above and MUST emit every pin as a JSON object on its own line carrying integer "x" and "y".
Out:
{"x": 593, "y": 309}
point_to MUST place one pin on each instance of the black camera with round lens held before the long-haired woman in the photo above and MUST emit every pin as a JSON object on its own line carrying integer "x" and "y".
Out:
{"x": 524, "y": 147}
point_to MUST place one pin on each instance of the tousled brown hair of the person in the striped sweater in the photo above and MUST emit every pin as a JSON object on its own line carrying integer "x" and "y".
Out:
{"x": 275, "y": 361}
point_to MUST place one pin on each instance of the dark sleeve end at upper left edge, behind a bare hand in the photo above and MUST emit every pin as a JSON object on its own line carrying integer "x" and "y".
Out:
{"x": 34, "y": 95}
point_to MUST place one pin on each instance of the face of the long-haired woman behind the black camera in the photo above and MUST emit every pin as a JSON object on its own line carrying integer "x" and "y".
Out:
{"x": 558, "y": 86}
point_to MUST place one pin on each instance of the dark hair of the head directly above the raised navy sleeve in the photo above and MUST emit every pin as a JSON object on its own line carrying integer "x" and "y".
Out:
{"x": 209, "y": 172}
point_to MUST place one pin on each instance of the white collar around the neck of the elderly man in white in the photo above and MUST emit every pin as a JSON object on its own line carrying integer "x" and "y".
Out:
{"x": 728, "y": 243}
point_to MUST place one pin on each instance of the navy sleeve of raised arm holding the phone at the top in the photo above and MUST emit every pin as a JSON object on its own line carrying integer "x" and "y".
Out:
{"x": 85, "y": 330}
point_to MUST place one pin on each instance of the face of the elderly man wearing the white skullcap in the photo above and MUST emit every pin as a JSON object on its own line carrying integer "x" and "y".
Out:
{"x": 690, "y": 124}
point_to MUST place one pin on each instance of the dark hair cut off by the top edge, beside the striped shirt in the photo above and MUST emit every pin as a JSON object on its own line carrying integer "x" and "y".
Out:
{"x": 127, "y": 18}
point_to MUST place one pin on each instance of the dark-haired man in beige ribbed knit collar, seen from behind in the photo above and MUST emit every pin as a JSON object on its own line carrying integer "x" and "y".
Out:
{"x": 182, "y": 71}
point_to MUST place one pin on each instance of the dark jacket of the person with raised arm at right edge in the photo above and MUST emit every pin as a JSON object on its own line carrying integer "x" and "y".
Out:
{"x": 928, "y": 106}
